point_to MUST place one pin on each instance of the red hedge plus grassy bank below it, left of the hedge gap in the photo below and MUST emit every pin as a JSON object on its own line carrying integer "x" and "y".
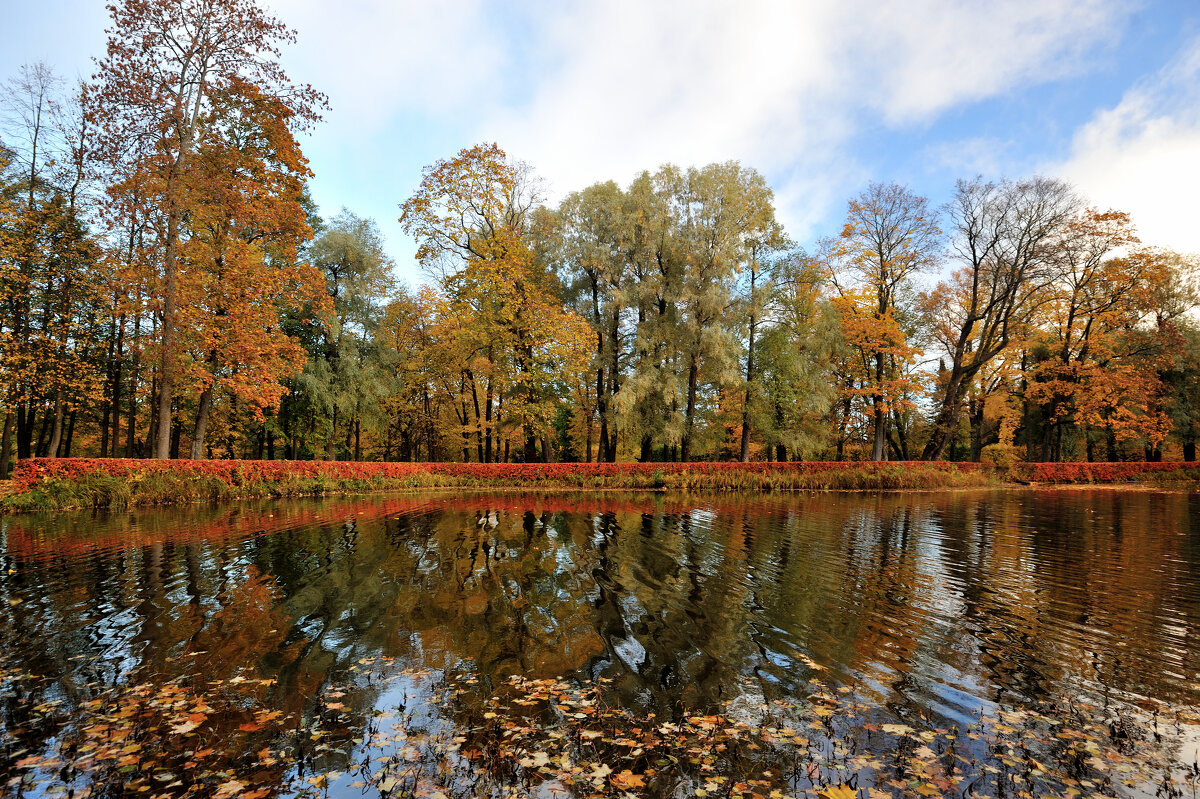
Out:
{"x": 43, "y": 484}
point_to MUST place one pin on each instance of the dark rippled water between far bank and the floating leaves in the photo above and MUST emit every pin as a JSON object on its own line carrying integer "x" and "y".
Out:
{"x": 943, "y": 605}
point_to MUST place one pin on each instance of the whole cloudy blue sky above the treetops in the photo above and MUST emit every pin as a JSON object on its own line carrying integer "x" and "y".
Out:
{"x": 823, "y": 98}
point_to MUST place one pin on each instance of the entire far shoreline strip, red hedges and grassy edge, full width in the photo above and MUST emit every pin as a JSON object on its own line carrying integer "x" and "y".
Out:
{"x": 81, "y": 484}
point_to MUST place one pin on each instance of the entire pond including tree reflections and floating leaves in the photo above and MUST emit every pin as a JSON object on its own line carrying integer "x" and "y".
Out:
{"x": 579, "y": 645}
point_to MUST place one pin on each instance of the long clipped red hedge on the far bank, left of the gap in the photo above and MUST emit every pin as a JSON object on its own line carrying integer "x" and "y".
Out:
{"x": 238, "y": 473}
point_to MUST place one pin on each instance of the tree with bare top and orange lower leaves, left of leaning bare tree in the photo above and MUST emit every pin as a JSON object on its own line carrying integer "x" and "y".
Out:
{"x": 891, "y": 236}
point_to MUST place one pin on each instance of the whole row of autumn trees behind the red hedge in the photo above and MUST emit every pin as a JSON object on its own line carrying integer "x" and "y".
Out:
{"x": 170, "y": 290}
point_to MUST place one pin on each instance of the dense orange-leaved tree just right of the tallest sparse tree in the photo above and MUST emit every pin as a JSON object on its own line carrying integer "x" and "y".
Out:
{"x": 243, "y": 272}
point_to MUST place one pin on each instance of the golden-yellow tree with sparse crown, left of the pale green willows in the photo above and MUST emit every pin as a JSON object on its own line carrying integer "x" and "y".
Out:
{"x": 472, "y": 218}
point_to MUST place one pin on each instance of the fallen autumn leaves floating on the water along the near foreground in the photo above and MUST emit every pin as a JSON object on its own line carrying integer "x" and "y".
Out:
{"x": 449, "y": 736}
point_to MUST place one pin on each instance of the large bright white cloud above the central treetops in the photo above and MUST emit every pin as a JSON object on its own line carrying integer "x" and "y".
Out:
{"x": 783, "y": 87}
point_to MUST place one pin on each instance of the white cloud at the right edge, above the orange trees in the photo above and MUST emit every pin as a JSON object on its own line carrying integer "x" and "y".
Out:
{"x": 1143, "y": 157}
